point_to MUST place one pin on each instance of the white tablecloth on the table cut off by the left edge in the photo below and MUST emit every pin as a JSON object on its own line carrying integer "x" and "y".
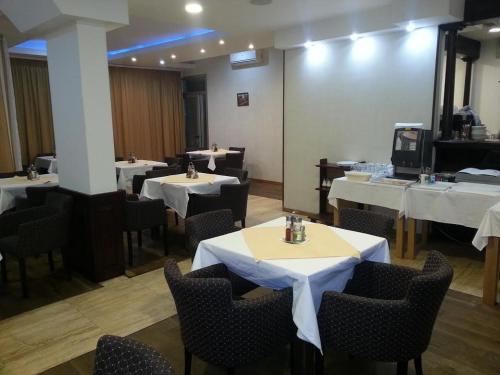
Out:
{"x": 10, "y": 188}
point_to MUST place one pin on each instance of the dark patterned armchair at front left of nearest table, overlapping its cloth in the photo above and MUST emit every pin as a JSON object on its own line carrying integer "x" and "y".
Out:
{"x": 221, "y": 330}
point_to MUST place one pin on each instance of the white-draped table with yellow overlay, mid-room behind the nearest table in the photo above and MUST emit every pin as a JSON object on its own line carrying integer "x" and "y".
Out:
{"x": 175, "y": 189}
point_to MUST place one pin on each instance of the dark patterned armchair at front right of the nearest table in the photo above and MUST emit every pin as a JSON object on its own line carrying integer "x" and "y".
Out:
{"x": 386, "y": 313}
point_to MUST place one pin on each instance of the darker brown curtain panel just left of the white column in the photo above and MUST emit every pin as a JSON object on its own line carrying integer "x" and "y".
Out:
{"x": 33, "y": 106}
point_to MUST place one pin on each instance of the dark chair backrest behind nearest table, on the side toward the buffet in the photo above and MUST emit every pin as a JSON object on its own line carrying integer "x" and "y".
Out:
{"x": 367, "y": 222}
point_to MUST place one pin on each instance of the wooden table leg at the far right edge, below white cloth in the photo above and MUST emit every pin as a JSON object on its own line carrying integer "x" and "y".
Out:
{"x": 491, "y": 267}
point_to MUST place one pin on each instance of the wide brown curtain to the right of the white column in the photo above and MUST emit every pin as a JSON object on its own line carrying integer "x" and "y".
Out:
{"x": 148, "y": 114}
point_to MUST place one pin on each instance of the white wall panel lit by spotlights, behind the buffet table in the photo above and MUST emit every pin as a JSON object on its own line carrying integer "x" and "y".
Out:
{"x": 343, "y": 98}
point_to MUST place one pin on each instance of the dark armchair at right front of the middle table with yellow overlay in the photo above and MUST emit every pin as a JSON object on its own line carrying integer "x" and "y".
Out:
{"x": 232, "y": 196}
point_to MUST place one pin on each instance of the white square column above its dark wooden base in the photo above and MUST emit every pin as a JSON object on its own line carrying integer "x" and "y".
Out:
{"x": 81, "y": 107}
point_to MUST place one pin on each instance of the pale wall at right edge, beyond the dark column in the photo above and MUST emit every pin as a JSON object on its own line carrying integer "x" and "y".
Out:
{"x": 485, "y": 98}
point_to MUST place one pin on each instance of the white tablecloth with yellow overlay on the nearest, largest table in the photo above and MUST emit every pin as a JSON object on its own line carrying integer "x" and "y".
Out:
{"x": 324, "y": 261}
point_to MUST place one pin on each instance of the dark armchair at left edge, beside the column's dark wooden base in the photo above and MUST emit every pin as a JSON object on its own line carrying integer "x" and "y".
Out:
{"x": 35, "y": 231}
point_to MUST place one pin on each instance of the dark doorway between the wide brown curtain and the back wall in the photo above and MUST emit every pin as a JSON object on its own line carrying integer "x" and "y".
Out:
{"x": 195, "y": 112}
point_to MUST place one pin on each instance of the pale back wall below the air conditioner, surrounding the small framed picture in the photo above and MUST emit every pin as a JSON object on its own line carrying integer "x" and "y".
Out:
{"x": 258, "y": 127}
